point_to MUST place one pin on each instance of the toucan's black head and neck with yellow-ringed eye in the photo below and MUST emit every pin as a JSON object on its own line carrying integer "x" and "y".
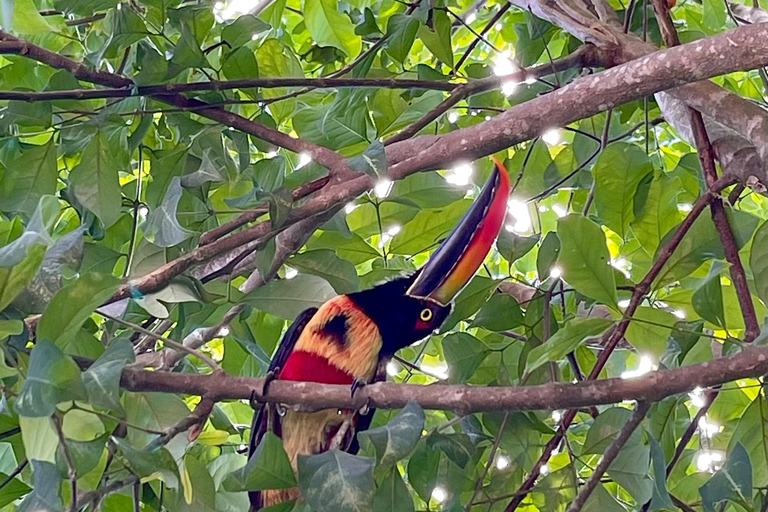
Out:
{"x": 402, "y": 320}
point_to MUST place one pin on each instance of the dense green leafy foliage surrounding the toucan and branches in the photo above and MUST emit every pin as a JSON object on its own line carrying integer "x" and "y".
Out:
{"x": 97, "y": 191}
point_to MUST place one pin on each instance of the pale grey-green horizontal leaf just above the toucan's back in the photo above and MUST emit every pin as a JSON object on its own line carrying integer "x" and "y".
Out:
{"x": 287, "y": 298}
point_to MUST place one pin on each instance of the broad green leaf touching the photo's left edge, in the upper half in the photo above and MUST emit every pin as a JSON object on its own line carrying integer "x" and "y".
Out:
{"x": 34, "y": 174}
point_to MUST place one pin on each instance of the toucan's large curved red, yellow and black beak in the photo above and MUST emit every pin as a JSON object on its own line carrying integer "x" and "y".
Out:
{"x": 460, "y": 255}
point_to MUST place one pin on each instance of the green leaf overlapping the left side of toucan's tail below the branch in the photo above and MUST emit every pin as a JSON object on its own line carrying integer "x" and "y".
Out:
{"x": 268, "y": 468}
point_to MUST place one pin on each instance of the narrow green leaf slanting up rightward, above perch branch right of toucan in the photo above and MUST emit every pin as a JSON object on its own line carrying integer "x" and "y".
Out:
{"x": 566, "y": 340}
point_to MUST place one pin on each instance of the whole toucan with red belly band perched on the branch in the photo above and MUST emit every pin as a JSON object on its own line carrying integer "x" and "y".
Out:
{"x": 349, "y": 339}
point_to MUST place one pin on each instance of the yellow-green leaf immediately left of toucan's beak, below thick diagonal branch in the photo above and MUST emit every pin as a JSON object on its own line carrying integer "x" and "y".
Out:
{"x": 428, "y": 228}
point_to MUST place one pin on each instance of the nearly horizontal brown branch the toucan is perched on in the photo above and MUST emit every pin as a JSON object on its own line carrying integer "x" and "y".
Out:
{"x": 463, "y": 399}
